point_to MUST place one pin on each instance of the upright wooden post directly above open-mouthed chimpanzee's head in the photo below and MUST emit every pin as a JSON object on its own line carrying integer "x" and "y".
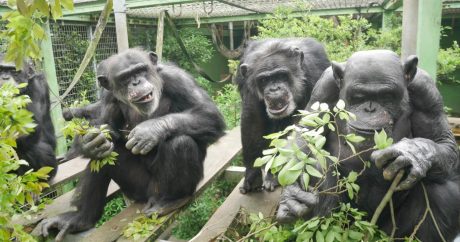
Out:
{"x": 119, "y": 9}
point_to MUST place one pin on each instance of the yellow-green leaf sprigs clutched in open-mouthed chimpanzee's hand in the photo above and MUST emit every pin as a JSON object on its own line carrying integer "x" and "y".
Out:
{"x": 82, "y": 127}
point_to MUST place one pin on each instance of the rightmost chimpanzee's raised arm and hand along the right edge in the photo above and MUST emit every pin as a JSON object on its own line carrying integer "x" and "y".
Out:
{"x": 432, "y": 152}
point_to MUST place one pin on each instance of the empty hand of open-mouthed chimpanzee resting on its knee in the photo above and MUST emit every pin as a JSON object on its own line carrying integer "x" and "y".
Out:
{"x": 145, "y": 136}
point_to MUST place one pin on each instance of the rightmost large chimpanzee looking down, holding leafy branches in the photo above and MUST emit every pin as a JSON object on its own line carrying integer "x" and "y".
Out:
{"x": 403, "y": 100}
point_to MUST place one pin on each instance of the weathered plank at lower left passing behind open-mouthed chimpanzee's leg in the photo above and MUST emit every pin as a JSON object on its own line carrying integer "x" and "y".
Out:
{"x": 58, "y": 206}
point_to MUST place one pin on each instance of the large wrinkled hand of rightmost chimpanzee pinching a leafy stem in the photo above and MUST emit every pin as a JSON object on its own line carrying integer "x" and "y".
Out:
{"x": 419, "y": 153}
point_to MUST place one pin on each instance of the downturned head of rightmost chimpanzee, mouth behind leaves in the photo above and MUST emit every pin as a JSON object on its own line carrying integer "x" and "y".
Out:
{"x": 373, "y": 85}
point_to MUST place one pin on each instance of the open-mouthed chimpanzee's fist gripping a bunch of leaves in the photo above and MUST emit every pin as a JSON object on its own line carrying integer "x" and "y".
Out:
{"x": 96, "y": 146}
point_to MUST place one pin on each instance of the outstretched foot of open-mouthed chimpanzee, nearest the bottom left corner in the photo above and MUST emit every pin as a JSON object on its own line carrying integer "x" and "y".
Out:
{"x": 66, "y": 223}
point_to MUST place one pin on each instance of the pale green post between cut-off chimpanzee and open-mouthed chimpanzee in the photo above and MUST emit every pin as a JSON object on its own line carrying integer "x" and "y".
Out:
{"x": 49, "y": 69}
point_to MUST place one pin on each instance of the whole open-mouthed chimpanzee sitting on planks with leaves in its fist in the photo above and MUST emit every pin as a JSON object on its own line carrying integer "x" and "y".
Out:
{"x": 169, "y": 123}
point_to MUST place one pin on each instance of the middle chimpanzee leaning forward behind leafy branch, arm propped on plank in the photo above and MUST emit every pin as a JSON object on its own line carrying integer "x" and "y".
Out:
{"x": 275, "y": 79}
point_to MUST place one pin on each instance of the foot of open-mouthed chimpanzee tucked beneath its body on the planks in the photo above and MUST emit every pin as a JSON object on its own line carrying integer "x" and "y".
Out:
{"x": 162, "y": 207}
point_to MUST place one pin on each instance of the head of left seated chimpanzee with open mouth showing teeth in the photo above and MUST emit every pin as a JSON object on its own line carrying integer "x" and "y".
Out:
{"x": 133, "y": 79}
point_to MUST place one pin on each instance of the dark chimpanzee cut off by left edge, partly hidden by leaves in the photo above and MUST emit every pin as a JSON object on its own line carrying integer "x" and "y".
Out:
{"x": 38, "y": 147}
